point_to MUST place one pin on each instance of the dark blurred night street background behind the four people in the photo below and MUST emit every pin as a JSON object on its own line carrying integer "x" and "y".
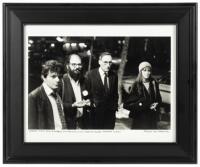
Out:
{"x": 127, "y": 54}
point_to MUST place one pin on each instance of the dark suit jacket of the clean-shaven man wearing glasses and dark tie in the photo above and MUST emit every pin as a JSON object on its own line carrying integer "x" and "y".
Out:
{"x": 98, "y": 96}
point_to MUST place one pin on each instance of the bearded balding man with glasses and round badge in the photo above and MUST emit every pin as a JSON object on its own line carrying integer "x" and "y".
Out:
{"x": 75, "y": 102}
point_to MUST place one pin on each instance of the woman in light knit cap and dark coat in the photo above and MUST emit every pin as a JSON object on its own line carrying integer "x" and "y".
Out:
{"x": 144, "y": 99}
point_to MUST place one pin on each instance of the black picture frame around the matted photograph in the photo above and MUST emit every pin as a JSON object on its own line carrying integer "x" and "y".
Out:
{"x": 183, "y": 15}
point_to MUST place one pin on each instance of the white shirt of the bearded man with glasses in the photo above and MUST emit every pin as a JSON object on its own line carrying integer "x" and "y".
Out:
{"x": 77, "y": 92}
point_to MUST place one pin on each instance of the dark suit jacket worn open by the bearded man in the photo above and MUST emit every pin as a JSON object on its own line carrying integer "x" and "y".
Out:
{"x": 68, "y": 97}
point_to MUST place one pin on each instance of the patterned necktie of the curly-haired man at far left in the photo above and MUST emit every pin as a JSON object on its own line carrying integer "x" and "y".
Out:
{"x": 60, "y": 111}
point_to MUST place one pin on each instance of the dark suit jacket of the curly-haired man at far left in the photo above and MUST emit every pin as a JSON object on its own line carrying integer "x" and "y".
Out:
{"x": 40, "y": 112}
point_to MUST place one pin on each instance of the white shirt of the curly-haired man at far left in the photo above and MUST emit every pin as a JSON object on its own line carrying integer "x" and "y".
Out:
{"x": 57, "y": 120}
